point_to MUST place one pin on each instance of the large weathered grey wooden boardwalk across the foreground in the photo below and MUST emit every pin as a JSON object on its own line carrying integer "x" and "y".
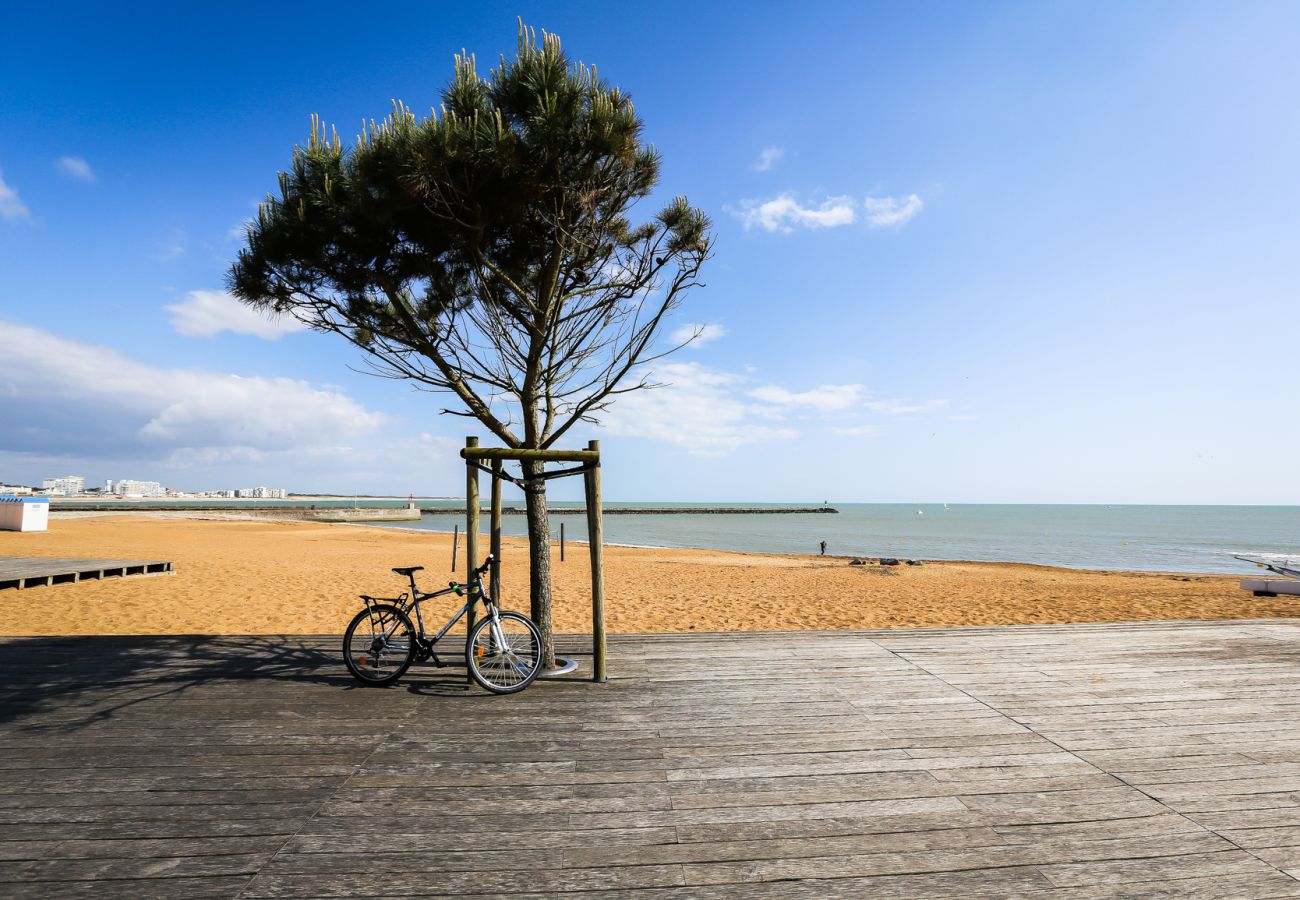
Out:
{"x": 1068, "y": 761}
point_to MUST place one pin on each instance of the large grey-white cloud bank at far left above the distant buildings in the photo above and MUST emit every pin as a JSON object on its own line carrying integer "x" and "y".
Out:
{"x": 83, "y": 399}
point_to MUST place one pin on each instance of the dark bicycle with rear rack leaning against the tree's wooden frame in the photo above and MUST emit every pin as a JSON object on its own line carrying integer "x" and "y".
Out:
{"x": 504, "y": 651}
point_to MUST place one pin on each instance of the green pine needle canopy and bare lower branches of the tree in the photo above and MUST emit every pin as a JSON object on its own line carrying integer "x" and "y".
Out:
{"x": 487, "y": 250}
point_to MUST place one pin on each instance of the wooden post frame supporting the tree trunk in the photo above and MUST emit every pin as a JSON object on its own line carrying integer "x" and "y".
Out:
{"x": 495, "y": 458}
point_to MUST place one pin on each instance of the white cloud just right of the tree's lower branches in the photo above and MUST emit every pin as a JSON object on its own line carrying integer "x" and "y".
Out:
{"x": 699, "y": 408}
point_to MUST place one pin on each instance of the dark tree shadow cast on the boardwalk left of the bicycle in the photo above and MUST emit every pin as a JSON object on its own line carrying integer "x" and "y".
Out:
{"x": 109, "y": 676}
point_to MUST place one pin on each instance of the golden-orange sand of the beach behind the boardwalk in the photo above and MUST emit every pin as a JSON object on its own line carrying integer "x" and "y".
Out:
{"x": 245, "y": 578}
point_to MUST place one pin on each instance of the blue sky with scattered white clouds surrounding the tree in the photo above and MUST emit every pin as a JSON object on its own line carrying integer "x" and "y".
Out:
{"x": 1004, "y": 253}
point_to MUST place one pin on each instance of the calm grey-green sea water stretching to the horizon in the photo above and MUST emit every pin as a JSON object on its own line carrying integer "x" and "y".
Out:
{"x": 1172, "y": 539}
